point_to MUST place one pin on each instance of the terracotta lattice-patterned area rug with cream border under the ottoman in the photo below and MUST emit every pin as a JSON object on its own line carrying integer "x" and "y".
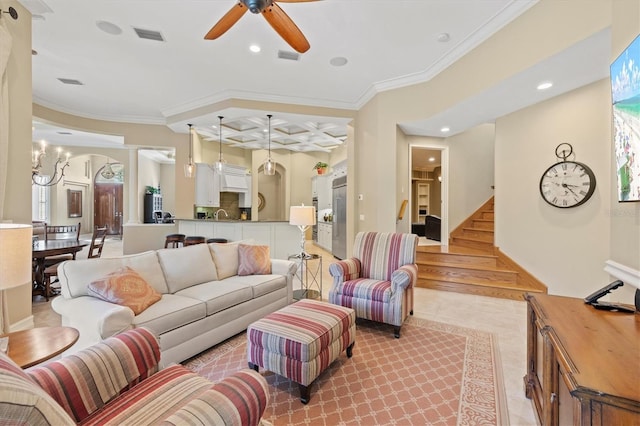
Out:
{"x": 435, "y": 374}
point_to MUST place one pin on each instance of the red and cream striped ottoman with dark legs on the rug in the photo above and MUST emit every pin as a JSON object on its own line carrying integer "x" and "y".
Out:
{"x": 300, "y": 340}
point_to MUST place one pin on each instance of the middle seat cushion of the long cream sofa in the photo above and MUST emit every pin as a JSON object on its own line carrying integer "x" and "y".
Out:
{"x": 219, "y": 296}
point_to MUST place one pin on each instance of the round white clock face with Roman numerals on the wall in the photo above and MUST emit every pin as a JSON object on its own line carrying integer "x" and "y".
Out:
{"x": 567, "y": 184}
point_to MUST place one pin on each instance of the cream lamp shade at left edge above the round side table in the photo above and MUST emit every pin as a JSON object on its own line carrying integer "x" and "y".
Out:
{"x": 15, "y": 255}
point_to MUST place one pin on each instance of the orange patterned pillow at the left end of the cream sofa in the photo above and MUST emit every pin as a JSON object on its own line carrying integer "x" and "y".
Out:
{"x": 127, "y": 288}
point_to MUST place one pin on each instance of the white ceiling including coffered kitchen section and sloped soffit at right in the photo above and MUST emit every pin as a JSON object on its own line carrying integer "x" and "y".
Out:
{"x": 90, "y": 60}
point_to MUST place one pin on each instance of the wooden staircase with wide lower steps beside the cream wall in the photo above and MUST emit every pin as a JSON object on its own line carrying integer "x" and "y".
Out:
{"x": 472, "y": 264}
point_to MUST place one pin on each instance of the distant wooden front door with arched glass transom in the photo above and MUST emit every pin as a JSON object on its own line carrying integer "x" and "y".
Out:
{"x": 108, "y": 196}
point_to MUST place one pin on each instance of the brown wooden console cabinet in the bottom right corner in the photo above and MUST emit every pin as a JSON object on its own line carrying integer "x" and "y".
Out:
{"x": 583, "y": 364}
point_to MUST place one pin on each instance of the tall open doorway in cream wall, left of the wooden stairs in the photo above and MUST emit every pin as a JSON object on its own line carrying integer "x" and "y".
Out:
{"x": 428, "y": 200}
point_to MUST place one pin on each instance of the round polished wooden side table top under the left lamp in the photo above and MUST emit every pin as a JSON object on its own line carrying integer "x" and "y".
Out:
{"x": 30, "y": 347}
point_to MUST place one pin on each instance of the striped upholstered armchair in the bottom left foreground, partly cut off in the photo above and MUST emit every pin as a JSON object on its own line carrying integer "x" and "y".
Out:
{"x": 117, "y": 382}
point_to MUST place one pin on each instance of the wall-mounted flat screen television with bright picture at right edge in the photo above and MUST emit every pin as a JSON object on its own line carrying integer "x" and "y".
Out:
{"x": 625, "y": 94}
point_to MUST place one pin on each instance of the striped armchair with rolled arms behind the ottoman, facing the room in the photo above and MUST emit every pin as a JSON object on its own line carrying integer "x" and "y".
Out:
{"x": 377, "y": 282}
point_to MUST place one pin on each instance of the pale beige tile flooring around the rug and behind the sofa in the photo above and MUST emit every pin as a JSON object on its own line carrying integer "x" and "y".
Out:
{"x": 505, "y": 318}
